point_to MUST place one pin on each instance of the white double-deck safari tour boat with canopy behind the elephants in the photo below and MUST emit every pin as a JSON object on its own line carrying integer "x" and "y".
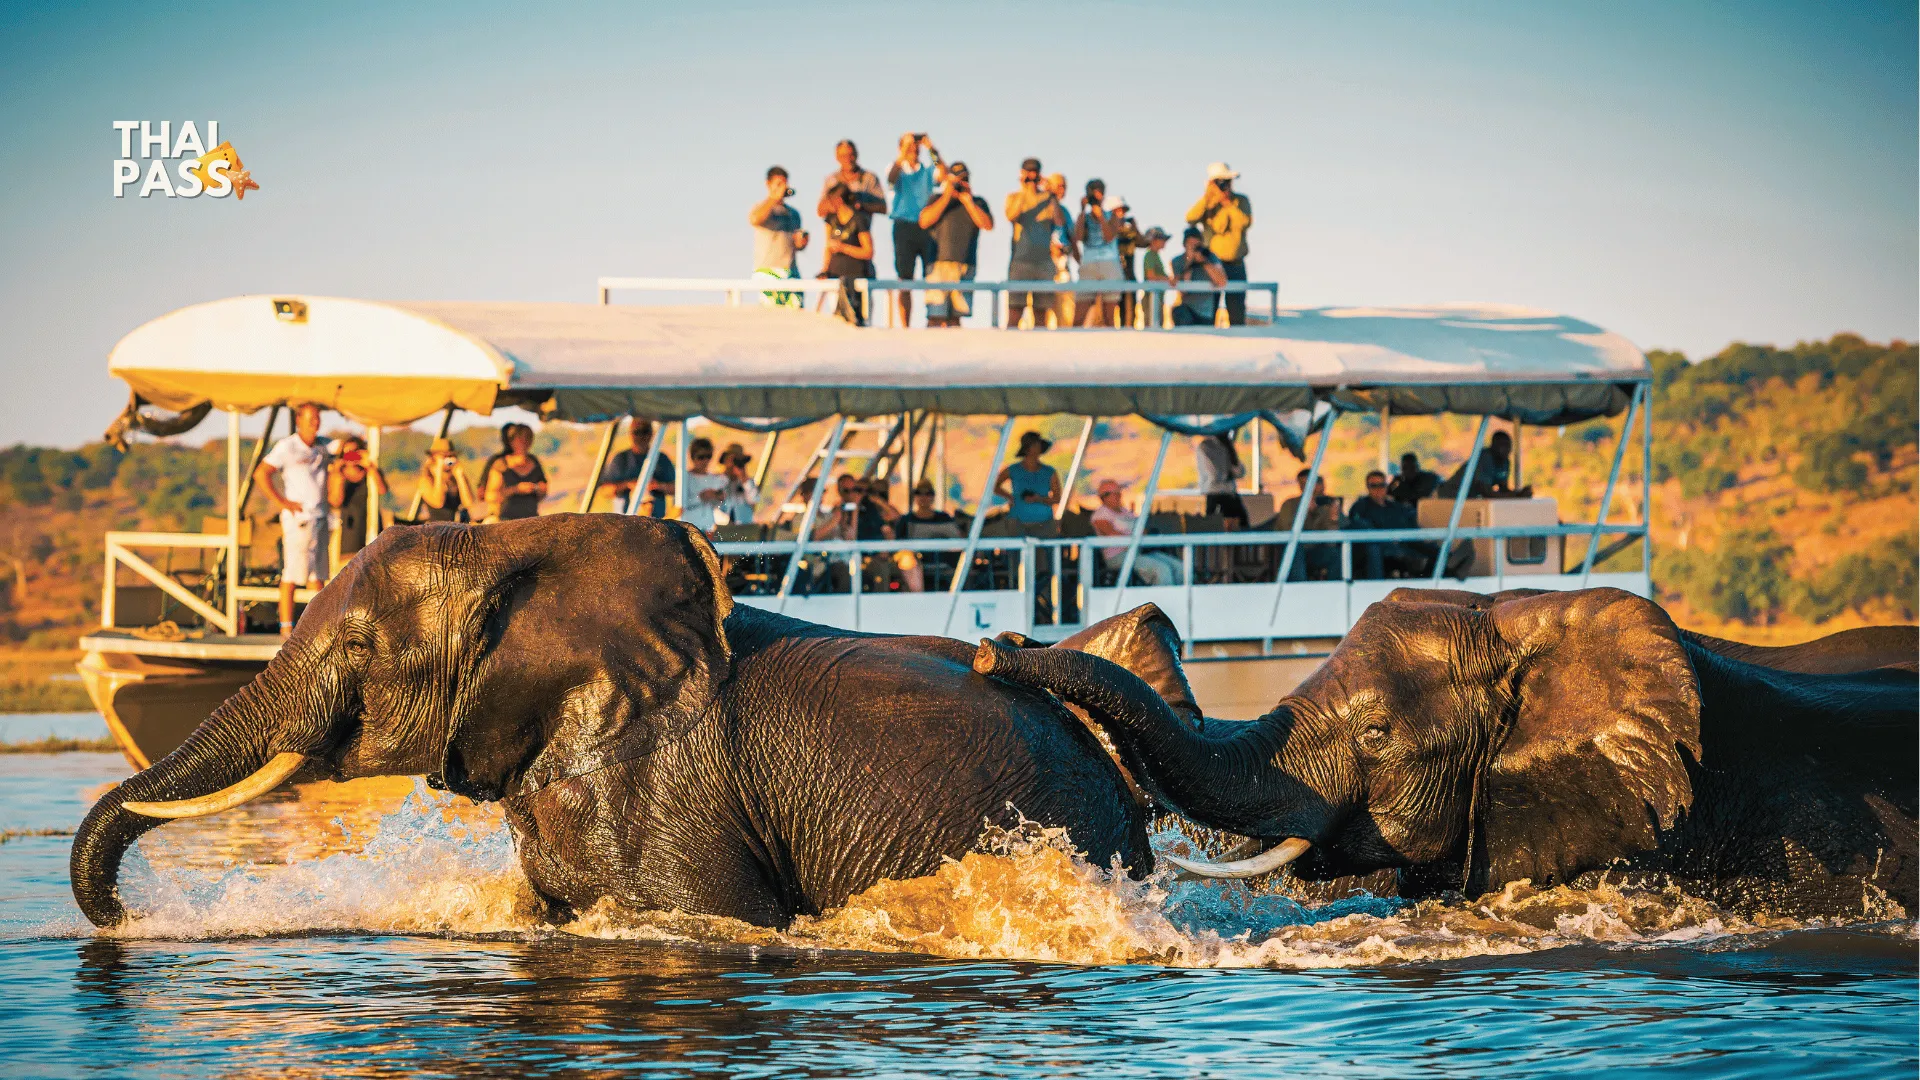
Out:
{"x": 176, "y": 633}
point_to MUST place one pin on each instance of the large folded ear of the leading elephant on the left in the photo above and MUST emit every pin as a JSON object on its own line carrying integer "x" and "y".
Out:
{"x": 608, "y": 643}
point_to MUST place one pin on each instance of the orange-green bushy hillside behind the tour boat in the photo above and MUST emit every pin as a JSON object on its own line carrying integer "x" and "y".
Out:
{"x": 1783, "y": 487}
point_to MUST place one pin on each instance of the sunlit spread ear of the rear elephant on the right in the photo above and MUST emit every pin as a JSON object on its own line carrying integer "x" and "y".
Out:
{"x": 1589, "y": 770}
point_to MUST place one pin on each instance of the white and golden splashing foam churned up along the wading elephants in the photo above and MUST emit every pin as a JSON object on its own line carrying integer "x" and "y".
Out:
{"x": 439, "y": 866}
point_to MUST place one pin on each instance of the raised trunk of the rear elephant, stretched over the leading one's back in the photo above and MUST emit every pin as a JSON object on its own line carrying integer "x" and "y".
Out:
{"x": 1224, "y": 775}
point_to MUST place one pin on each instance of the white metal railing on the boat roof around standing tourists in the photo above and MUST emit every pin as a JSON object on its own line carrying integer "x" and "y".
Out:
{"x": 1149, "y": 295}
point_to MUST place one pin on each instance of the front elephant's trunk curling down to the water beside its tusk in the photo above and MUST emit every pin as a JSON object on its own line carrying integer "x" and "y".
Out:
{"x": 226, "y": 752}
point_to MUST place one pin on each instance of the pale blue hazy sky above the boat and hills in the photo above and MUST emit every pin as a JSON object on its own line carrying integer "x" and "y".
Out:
{"x": 1683, "y": 174}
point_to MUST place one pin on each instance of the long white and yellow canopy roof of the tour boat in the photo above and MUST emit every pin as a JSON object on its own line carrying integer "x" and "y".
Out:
{"x": 396, "y": 362}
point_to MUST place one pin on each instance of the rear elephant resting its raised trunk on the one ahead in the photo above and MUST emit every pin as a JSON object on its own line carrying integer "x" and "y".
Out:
{"x": 1468, "y": 743}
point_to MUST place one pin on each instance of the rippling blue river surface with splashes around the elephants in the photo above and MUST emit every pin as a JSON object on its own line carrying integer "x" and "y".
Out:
{"x": 379, "y": 929}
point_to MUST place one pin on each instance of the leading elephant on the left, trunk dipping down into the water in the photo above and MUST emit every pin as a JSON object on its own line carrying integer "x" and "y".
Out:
{"x": 648, "y": 739}
